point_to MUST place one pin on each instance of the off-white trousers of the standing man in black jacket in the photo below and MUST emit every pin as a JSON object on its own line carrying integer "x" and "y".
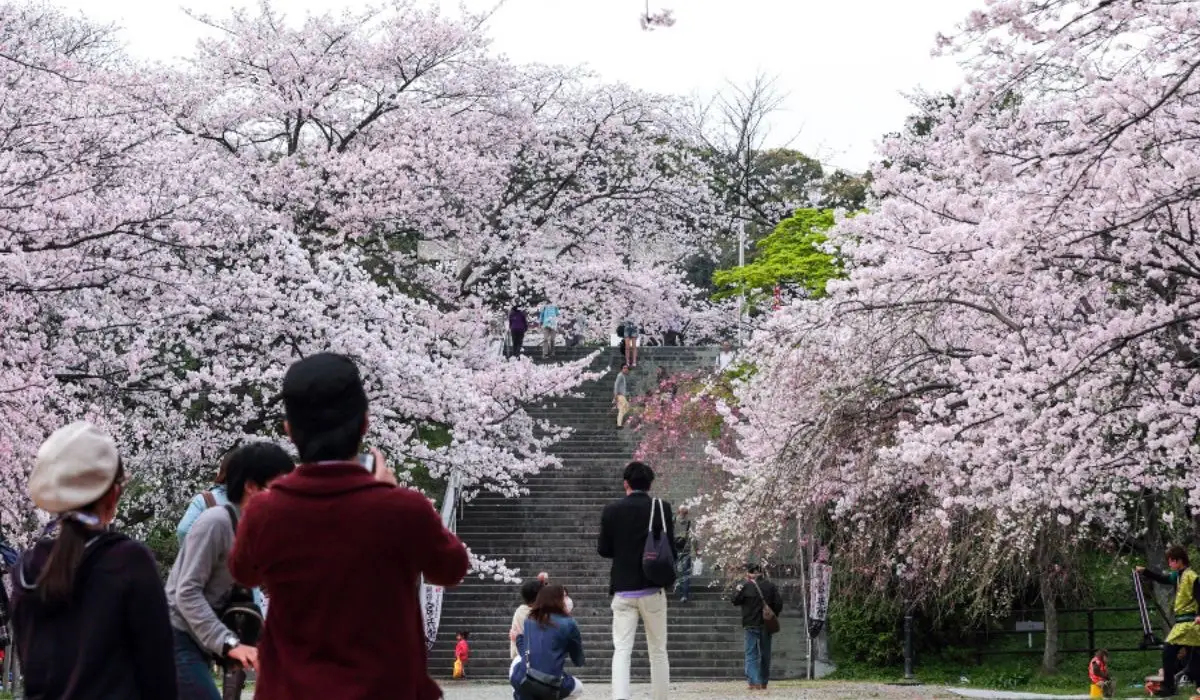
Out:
{"x": 653, "y": 613}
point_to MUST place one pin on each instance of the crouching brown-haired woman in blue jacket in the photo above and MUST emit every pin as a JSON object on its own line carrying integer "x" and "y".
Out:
{"x": 549, "y": 638}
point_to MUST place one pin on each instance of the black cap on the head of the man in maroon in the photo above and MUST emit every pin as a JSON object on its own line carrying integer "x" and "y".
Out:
{"x": 323, "y": 391}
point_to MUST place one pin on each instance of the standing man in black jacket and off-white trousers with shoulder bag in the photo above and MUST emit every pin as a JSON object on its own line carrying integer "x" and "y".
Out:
{"x": 625, "y": 527}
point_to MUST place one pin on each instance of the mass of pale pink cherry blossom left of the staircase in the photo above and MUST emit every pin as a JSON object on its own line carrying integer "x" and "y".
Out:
{"x": 175, "y": 238}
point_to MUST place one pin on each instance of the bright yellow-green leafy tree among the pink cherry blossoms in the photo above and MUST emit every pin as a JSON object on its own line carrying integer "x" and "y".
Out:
{"x": 795, "y": 254}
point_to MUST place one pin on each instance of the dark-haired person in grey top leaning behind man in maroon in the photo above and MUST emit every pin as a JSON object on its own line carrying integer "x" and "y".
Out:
{"x": 201, "y": 588}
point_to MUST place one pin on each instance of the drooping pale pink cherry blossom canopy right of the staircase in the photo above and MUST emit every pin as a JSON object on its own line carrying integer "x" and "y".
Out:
{"x": 1010, "y": 370}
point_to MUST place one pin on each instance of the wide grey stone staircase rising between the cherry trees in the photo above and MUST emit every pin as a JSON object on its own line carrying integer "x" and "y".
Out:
{"x": 555, "y": 529}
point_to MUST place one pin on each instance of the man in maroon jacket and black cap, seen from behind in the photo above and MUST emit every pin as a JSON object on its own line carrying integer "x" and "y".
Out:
{"x": 341, "y": 552}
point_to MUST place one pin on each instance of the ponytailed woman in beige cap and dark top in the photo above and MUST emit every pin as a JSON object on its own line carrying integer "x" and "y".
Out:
{"x": 89, "y": 611}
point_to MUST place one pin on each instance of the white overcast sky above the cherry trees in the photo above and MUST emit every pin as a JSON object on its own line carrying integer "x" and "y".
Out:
{"x": 844, "y": 65}
